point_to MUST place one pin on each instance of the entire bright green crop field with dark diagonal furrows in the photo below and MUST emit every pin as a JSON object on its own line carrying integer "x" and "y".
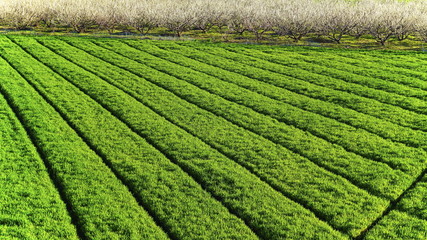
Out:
{"x": 136, "y": 139}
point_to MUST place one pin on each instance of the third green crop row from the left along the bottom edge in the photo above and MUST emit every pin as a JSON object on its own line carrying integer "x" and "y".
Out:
{"x": 171, "y": 196}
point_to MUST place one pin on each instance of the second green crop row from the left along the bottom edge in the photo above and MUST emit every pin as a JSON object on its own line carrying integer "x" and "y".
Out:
{"x": 101, "y": 205}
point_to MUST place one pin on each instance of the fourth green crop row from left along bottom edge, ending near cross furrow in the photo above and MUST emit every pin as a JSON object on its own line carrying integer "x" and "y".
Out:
{"x": 239, "y": 190}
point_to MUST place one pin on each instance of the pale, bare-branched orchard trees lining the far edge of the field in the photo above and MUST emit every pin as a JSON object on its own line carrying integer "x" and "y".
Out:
{"x": 295, "y": 19}
